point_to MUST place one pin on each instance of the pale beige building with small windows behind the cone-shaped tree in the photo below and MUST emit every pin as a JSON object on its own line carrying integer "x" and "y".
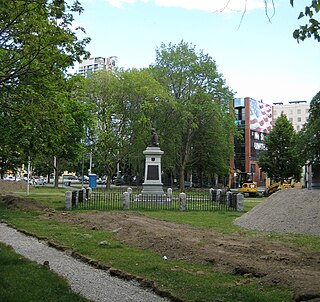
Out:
{"x": 297, "y": 112}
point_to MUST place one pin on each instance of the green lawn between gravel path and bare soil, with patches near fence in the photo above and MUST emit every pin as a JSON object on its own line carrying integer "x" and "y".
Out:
{"x": 188, "y": 281}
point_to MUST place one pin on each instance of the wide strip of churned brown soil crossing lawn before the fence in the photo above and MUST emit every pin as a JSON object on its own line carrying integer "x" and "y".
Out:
{"x": 270, "y": 262}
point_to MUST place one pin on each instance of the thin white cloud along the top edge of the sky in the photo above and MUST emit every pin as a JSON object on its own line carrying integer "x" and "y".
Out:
{"x": 203, "y": 5}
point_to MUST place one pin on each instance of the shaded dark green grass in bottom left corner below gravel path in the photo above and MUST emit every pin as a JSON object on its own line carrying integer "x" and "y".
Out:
{"x": 23, "y": 280}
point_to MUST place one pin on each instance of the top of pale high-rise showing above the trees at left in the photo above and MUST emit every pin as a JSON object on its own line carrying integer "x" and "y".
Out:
{"x": 91, "y": 65}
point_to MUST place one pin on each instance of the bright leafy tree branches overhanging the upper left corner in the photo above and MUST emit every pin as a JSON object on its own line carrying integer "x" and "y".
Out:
{"x": 36, "y": 43}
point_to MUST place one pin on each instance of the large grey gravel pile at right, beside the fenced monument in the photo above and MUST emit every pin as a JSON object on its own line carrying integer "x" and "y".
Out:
{"x": 289, "y": 211}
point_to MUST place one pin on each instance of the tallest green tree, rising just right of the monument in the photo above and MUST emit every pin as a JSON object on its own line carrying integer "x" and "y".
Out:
{"x": 201, "y": 133}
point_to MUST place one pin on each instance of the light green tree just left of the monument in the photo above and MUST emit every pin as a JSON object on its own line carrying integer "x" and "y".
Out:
{"x": 123, "y": 104}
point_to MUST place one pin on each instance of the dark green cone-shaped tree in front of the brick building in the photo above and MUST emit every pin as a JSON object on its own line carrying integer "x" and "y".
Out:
{"x": 280, "y": 159}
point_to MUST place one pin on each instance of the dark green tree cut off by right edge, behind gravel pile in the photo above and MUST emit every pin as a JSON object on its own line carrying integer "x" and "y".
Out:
{"x": 309, "y": 136}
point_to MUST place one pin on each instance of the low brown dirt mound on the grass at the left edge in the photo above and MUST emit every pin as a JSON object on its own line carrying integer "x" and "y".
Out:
{"x": 20, "y": 203}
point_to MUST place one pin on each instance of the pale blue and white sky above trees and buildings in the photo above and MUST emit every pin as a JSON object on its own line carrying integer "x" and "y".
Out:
{"x": 253, "y": 48}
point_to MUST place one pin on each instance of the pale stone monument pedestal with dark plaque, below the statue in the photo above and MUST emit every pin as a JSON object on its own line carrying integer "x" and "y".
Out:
{"x": 152, "y": 177}
